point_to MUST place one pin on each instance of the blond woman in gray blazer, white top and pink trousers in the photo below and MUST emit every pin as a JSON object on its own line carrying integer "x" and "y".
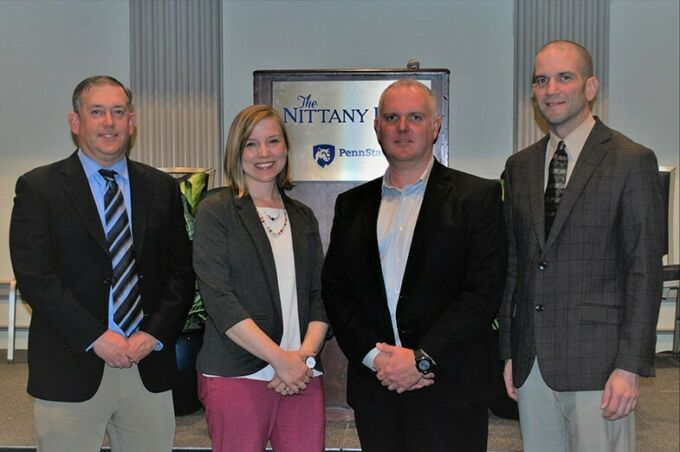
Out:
{"x": 258, "y": 257}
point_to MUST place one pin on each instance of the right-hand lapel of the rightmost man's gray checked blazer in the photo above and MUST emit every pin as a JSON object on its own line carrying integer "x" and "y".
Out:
{"x": 591, "y": 155}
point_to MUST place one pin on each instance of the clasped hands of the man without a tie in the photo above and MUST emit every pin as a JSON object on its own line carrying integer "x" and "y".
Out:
{"x": 395, "y": 368}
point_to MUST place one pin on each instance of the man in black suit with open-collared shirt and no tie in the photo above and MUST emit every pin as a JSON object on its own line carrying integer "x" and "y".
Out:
{"x": 412, "y": 280}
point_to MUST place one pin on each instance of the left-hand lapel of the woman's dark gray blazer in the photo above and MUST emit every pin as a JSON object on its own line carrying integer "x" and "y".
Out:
{"x": 251, "y": 221}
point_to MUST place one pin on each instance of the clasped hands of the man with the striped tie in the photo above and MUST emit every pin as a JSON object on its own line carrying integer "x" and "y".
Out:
{"x": 119, "y": 351}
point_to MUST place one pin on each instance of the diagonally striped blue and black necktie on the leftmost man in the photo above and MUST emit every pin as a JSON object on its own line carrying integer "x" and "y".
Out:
{"x": 127, "y": 306}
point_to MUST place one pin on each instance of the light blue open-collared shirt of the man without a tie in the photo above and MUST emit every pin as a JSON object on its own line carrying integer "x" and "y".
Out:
{"x": 399, "y": 209}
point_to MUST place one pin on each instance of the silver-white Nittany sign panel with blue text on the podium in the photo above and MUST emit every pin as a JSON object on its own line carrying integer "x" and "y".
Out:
{"x": 330, "y": 128}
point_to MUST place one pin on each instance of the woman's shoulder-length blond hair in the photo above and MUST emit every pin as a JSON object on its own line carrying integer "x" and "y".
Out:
{"x": 239, "y": 132}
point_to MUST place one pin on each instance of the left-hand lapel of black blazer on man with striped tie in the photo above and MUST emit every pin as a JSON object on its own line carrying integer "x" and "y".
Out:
{"x": 78, "y": 189}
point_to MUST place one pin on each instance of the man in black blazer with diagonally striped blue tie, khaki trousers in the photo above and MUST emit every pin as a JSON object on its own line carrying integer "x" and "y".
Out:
{"x": 90, "y": 370}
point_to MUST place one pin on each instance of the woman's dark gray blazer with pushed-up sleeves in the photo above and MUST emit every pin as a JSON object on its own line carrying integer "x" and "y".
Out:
{"x": 237, "y": 277}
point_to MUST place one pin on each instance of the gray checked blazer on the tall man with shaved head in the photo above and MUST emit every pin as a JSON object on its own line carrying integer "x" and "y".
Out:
{"x": 585, "y": 299}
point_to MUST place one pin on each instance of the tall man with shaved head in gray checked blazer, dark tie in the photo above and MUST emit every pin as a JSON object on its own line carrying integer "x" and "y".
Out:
{"x": 582, "y": 296}
